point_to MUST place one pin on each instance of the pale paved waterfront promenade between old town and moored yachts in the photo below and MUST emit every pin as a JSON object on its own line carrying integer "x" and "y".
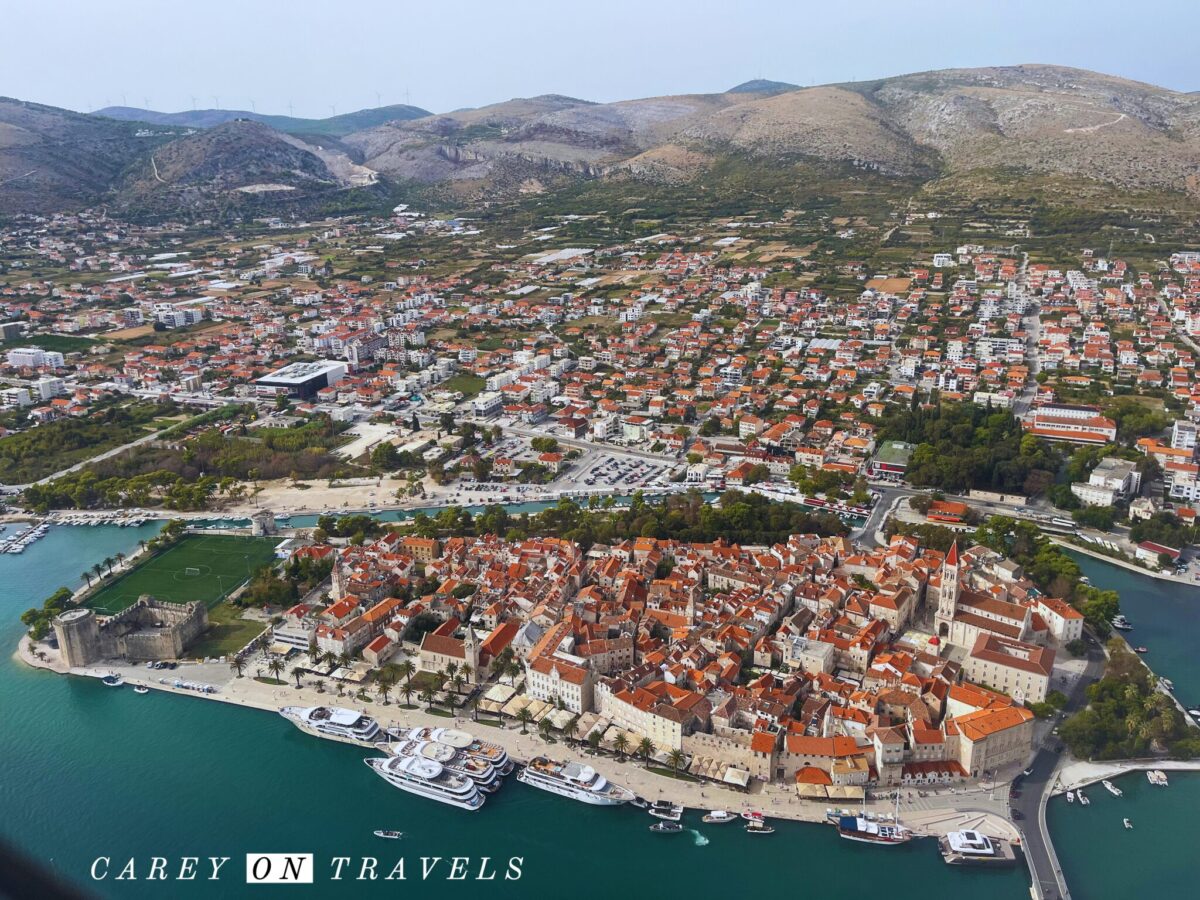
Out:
{"x": 935, "y": 814}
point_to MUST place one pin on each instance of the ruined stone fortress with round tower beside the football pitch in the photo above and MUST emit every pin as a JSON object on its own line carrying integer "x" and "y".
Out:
{"x": 148, "y": 631}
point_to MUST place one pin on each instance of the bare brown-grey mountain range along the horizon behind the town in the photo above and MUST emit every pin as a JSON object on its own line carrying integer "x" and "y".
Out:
{"x": 1025, "y": 122}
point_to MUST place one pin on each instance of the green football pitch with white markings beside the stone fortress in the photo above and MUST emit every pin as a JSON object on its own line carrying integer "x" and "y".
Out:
{"x": 200, "y": 567}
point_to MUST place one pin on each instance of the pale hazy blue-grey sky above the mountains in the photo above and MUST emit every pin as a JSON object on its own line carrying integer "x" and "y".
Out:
{"x": 322, "y": 56}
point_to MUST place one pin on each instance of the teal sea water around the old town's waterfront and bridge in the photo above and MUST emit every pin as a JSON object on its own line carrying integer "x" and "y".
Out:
{"x": 88, "y": 771}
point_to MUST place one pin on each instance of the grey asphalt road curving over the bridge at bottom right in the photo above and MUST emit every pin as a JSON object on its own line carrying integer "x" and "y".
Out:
{"x": 1048, "y": 878}
